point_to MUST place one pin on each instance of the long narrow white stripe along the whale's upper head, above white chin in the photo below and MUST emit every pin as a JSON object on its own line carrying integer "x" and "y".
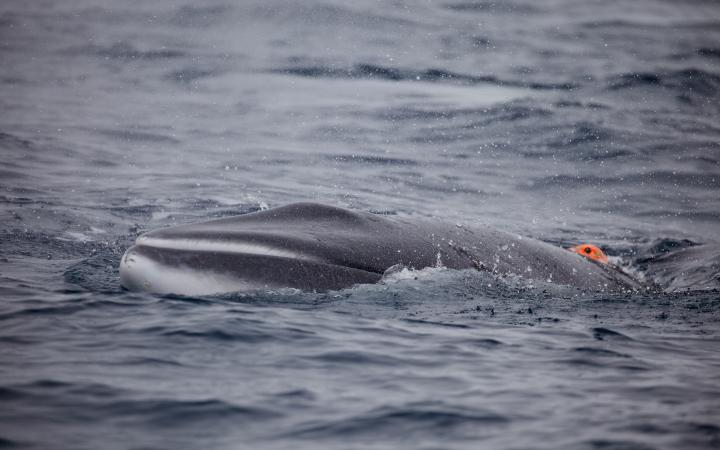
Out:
{"x": 206, "y": 245}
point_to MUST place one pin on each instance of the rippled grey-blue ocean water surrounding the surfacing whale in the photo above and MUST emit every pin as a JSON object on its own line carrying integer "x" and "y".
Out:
{"x": 564, "y": 121}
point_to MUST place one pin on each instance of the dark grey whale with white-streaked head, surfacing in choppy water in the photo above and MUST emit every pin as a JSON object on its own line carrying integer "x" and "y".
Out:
{"x": 314, "y": 247}
